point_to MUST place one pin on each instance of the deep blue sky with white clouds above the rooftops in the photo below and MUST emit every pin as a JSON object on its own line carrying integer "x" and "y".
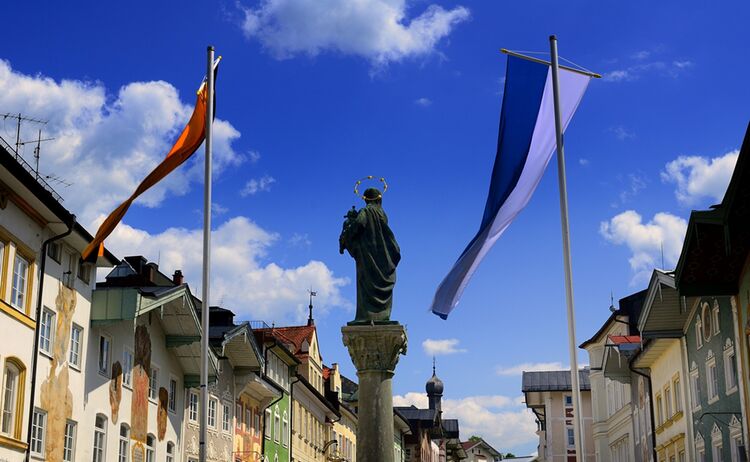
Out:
{"x": 315, "y": 95}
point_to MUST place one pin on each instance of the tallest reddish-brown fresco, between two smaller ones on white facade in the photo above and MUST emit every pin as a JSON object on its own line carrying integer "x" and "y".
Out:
{"x": 141, "y": 371}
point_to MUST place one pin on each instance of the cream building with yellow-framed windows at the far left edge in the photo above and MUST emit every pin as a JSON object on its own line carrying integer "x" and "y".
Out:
{"x": 31, "y": 214}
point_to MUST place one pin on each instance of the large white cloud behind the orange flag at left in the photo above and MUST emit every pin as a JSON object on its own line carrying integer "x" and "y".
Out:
{"x": 106, "y": 144}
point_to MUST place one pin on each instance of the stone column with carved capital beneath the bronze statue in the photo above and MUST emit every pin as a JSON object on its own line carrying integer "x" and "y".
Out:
{"x": 375, "y": 350}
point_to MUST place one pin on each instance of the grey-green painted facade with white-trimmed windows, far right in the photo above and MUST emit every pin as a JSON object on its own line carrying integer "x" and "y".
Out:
{"x": 714, "y": 401}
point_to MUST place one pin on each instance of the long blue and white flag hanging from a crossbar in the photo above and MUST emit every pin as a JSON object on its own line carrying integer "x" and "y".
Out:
{"x": 525, "y": 145}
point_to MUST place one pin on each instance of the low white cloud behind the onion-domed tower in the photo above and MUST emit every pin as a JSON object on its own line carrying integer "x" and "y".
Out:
{"x": 502, "y": 421}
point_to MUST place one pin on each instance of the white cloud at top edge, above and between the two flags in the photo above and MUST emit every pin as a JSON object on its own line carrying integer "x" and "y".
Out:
{"x": 378, "y": 30}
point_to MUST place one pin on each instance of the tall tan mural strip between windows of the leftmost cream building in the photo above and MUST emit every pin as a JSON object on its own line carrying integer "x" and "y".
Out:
{"x": 55, "y": 395}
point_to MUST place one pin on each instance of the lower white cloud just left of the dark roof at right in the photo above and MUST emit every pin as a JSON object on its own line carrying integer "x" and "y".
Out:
{"x": 646, "y": 240}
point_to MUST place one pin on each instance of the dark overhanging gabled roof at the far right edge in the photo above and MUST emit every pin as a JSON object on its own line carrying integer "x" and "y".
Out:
{"x": 717, "y": 241}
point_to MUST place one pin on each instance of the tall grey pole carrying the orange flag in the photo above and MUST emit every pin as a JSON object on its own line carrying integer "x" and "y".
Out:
{"x": 205, "y": 306}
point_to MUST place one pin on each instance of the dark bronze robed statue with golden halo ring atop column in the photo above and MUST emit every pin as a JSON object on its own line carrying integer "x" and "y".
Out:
{"x": 369, "y": 240}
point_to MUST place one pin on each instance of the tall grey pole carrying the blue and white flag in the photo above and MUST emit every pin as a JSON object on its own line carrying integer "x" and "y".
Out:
{"x": 562, "y": 183}
